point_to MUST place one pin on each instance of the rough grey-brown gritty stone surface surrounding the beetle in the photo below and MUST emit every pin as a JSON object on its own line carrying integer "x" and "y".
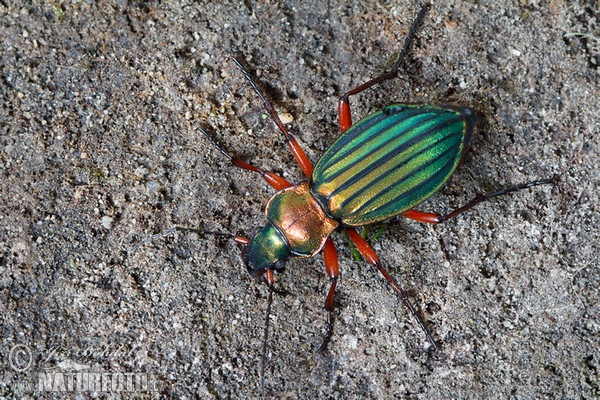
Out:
{"x": 99, "y": 149}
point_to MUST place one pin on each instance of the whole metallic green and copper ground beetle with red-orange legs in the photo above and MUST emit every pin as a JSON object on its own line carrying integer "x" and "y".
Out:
{"x": 380, "y": 167}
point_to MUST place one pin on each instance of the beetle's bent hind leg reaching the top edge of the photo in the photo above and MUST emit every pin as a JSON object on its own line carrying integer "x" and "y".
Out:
{"x": 344, "y": 115}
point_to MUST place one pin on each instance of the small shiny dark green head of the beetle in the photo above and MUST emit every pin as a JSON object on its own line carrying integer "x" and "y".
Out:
{"x": 267, "y": 250}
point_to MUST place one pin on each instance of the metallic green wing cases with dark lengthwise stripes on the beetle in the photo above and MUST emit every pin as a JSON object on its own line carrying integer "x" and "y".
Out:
{"x": 391, "y": 161}
